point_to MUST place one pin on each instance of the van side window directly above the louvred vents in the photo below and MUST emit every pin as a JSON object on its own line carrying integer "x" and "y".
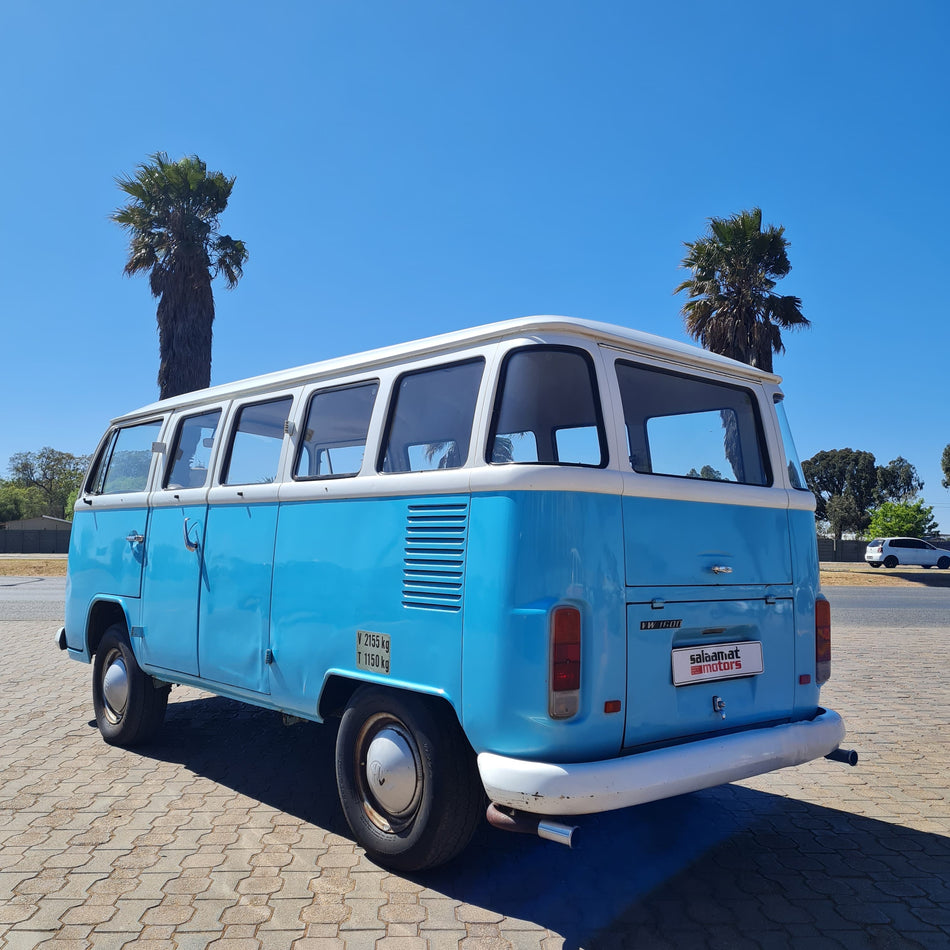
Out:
{"x": 431, "y": 418}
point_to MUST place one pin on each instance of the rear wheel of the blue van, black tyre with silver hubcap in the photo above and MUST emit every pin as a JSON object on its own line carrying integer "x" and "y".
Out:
{"x": 435, "y": 798}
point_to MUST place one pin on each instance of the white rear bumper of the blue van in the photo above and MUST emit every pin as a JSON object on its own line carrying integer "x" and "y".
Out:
{"x": 586, "y": 787}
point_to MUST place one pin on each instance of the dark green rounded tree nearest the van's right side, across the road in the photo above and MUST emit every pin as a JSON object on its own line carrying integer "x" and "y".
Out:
{"x": 844, "y": 482}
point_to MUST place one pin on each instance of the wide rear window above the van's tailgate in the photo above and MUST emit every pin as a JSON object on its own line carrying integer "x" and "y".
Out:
{"x": 692, "y": 428}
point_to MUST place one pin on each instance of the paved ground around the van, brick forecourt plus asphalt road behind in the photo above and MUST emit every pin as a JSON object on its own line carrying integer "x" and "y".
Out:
{"x": 227, "y": 831}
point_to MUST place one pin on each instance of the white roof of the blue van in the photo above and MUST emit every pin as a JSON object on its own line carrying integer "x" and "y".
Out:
{"x": 540, "y": 327}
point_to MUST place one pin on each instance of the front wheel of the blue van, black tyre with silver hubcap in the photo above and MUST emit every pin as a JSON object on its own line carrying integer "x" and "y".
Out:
{"x": 129, "y": 704}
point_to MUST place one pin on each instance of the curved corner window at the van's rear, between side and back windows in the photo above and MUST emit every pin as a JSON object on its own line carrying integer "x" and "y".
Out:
{"x": 547, "y": 410}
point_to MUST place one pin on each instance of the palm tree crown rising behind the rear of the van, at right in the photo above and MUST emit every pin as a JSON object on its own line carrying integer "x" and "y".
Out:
{"x": 731, "y": 309}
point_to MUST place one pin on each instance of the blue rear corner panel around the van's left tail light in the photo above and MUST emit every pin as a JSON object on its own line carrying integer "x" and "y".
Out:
{"x": 527, "y": 552}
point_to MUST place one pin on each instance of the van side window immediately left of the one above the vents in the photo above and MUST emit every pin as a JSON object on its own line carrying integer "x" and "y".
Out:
{"x": 335, "y": 436}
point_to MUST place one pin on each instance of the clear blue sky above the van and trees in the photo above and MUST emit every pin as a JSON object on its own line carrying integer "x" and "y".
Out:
{"x": 405, "y": 168}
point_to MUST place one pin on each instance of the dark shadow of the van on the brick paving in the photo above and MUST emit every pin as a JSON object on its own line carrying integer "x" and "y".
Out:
{"x": 729, "y": 866}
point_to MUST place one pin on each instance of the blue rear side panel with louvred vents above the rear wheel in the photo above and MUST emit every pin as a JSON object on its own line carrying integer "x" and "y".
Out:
{"x": 343, "y": 566}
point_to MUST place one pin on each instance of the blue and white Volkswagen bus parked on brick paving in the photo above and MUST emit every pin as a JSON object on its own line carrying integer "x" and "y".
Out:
{"x": 549, "y": 566}
